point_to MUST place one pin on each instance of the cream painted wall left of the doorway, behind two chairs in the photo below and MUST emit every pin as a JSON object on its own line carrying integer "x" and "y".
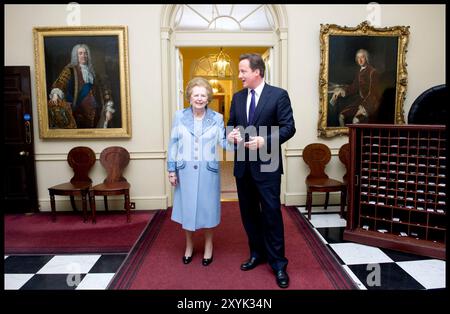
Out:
{"x": 146, "y": 169}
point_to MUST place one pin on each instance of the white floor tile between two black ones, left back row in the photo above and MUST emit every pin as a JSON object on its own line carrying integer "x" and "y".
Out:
{"x": 69, "y": 264}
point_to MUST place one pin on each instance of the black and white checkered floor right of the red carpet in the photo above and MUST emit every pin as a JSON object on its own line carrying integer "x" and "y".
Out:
{"x": 376, "y": 268}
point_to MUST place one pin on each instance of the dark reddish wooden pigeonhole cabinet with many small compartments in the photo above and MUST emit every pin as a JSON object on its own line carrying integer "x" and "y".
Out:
{"x": 397, "y": 188}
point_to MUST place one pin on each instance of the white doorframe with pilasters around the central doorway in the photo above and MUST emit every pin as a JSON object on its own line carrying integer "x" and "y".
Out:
{"x": 172, "y": 39}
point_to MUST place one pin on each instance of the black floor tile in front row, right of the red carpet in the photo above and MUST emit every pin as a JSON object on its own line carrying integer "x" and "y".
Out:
{"x": 389, "y": 277}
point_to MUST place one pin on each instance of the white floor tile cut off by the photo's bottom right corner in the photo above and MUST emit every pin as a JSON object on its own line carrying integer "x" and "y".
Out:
{"x": 429, "y": 273}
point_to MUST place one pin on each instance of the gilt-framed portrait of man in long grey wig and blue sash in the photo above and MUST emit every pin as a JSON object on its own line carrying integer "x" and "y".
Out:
{"x": 82, "y": 82}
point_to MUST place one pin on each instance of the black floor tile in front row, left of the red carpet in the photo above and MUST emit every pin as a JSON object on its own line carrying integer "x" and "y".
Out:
{"x": 53, "y": 282}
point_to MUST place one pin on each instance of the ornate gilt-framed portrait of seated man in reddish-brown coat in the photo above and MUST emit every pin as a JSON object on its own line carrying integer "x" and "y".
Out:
{"x": 363, "y": 76}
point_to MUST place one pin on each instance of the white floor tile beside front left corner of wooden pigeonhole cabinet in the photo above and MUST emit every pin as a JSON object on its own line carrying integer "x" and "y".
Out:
{"x": 353, "y": 253}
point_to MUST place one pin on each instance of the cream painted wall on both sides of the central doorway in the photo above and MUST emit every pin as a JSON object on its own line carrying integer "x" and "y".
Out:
{"x": 146, "y": 172}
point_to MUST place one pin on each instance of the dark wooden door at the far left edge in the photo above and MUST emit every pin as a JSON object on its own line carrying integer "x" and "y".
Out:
{"x": 19, "y": 180}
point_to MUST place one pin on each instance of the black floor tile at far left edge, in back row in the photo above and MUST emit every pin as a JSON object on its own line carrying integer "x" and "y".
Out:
{"x": 25, "y": 264}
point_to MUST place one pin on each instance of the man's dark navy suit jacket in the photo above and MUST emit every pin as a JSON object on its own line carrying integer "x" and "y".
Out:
{"x": 273, "y": 109}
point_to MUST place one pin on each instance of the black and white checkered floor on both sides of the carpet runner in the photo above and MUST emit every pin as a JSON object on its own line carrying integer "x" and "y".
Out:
{"x": 369, "y": 267}
